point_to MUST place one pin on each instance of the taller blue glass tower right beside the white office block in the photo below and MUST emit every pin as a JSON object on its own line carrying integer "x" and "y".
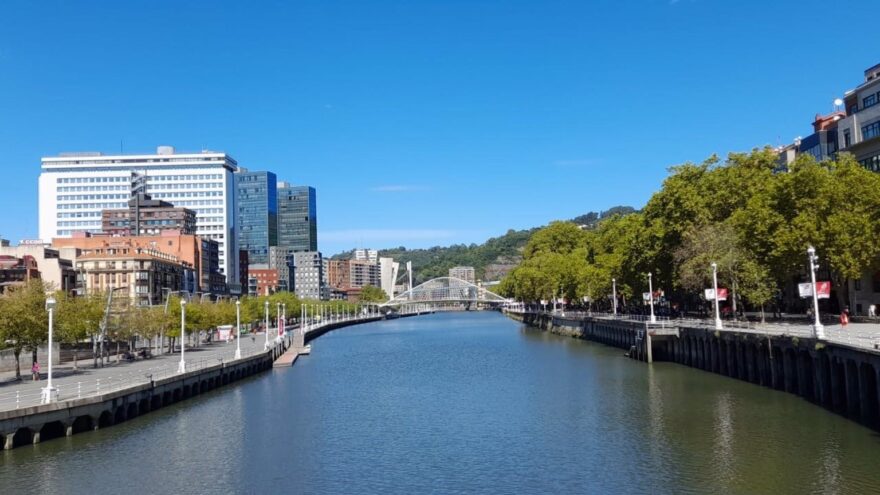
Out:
{"x": 257, "y": 214}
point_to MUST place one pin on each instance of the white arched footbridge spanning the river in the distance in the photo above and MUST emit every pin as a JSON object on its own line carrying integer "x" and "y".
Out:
{"x": 445, "y": 293}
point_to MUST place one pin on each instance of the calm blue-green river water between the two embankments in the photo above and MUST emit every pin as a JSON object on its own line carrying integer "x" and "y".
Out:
{"x": 464, "y": 403}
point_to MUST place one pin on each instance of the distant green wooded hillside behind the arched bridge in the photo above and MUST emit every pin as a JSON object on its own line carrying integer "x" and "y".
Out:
{"x": 491, "y": 260}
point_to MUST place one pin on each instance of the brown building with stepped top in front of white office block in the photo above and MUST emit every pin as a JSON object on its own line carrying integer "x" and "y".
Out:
{"x": 147, "y": 216}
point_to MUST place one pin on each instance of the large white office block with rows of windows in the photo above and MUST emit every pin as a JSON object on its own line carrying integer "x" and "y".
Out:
{"x": 75, "y": 187}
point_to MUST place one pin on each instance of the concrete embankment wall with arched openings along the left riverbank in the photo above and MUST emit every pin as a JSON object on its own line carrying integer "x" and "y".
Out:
{"x": 35, "y": 424}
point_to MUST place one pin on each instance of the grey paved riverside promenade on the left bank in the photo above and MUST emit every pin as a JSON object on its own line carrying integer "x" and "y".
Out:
{"x": 87, "y": 380}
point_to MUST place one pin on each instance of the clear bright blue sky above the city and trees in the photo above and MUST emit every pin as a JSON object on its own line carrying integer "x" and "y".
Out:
{"x": 423, "y": 122}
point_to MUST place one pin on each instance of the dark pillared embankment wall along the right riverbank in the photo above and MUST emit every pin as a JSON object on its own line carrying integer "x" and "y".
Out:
{"x": 838, "y": 377}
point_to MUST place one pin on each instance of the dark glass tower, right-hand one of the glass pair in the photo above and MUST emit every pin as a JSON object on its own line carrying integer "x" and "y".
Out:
{"x": 297, "y": 218}
